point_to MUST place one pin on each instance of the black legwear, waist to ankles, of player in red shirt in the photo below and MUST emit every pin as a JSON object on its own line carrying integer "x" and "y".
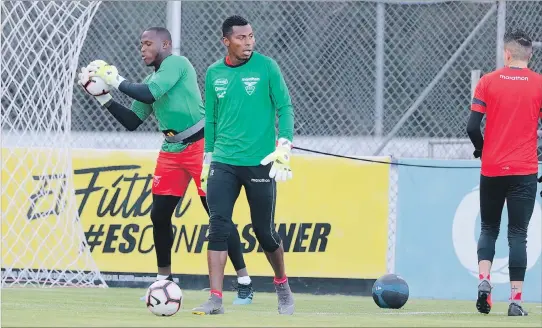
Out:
{"x": 520, "y": 194}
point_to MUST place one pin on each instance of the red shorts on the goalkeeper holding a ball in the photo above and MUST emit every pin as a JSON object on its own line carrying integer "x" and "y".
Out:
{"x": 174, "y": 170}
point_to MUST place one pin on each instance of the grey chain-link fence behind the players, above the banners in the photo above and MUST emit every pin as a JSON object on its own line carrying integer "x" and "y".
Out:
{"x": 354, "y": 68}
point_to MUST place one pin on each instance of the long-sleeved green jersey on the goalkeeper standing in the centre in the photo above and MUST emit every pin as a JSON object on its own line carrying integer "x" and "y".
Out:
{"x": 241, "y": 107}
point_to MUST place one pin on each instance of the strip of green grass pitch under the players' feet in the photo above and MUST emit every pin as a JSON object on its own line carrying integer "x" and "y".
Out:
{"x": 121, "y": 307}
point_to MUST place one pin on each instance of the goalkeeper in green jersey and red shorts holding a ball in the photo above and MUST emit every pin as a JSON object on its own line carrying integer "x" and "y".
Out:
{"x": 171, "y": 92}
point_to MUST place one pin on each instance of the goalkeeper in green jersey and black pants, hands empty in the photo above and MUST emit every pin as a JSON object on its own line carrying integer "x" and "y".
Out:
{"x": 244, "y": 93}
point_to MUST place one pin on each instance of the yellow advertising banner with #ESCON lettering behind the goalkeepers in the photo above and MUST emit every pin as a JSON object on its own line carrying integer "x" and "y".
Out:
{"x": 332, "y": 217}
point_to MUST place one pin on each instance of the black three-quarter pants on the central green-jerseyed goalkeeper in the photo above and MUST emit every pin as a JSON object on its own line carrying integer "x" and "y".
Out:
{"x": 223, "y": 188}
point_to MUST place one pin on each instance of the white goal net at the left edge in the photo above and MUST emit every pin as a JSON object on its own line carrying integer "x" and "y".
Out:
{"x": 43, "y": 243}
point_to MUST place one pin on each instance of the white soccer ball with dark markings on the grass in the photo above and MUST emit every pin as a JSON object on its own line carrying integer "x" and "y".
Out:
{"x": 164, "y": 298}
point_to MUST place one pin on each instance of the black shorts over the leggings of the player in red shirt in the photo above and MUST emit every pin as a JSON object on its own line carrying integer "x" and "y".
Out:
{"x": 519, "y": 192}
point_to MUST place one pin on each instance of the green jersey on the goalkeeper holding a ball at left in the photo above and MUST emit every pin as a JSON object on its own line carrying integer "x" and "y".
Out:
{"x": 178, "y": 104}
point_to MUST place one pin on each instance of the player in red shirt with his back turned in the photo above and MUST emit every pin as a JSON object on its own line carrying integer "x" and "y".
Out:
{"x": 511, "y": 99}
